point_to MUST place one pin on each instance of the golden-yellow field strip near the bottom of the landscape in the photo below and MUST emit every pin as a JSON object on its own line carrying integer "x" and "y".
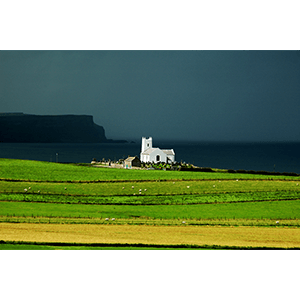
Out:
{"x": 167, "y": 235}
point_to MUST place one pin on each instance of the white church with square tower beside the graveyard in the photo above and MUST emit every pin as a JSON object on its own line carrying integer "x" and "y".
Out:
{"x": 149, "y": 154}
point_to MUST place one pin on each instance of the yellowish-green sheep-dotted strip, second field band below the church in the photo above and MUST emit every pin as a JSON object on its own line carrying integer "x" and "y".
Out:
{"x": 148, "y": 188}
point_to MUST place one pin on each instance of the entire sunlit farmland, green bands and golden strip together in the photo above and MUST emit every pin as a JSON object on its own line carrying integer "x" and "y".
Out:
{"x": 144, "y": 201}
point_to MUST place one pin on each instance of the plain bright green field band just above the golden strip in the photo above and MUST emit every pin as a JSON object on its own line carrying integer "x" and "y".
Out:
{"x": 246, "y": 210}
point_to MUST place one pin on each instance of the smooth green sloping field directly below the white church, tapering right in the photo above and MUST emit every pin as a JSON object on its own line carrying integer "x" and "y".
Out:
{"x": 47, "y": 171}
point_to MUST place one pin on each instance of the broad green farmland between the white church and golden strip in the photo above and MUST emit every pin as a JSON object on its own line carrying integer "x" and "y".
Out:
{"x": 43, "y": 192}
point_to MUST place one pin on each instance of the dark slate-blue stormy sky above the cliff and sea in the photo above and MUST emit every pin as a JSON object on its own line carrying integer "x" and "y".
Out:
{"x": 184, "y": 95}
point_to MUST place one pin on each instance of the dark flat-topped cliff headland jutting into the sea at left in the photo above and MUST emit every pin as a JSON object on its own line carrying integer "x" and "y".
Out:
{"x": 23, "y": 128}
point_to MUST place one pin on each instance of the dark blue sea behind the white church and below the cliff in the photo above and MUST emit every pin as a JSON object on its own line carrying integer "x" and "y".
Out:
{"x": 264, "y": 156}
